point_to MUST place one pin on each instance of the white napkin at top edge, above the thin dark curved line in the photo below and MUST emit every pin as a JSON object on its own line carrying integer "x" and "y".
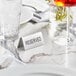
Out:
{"x": 39, "y": 4}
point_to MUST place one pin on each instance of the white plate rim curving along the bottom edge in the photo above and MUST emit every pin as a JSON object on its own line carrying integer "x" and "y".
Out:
{"x": 38, "y": 70}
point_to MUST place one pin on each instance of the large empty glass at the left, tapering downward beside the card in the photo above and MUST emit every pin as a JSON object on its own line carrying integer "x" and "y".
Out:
{"x": 10, "y": 11}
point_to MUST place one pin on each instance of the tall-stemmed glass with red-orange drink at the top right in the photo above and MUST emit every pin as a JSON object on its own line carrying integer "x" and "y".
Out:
{"x": 67, "y": 4}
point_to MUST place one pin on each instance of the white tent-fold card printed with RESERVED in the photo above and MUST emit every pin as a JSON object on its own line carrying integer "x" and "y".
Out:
{"x": 31, "y": 41}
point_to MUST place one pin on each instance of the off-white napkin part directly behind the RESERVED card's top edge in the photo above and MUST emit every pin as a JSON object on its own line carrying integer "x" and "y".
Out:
{"x": 30, "y": 28}
